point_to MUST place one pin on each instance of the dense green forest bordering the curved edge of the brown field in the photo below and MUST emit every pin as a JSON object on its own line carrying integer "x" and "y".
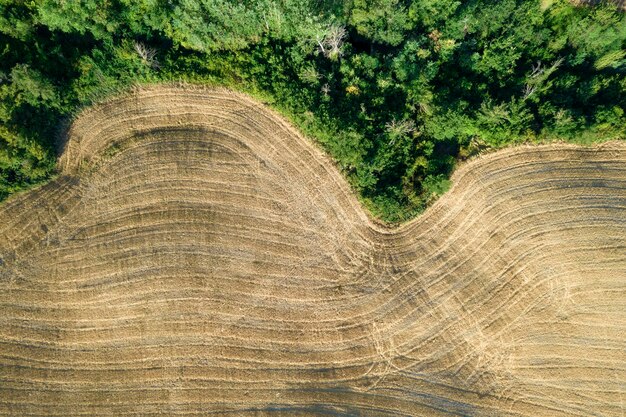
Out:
{"x": 396, "y": 91}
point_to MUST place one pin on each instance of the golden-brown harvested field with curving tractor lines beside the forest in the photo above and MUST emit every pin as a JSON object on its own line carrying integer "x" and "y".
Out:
{"x": 197, "y": 256}
